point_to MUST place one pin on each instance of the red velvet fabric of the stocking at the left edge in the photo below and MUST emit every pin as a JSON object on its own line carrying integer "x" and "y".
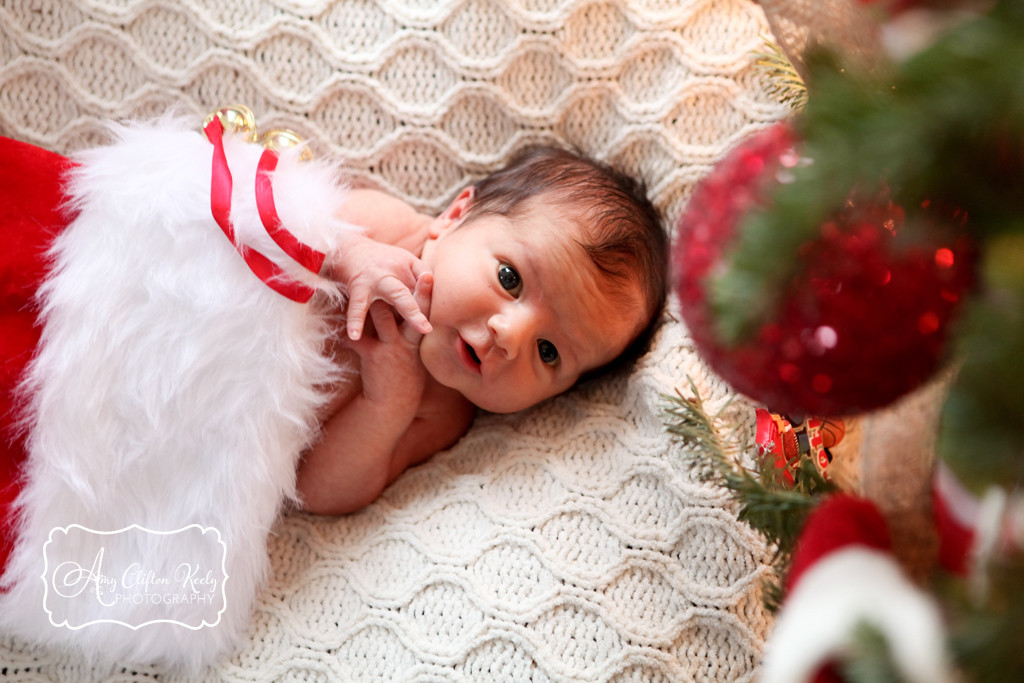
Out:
{"x": 32, "y": 214}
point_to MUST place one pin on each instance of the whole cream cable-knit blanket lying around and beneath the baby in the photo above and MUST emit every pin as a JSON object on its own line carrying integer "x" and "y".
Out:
{"x": 574, "y": 542}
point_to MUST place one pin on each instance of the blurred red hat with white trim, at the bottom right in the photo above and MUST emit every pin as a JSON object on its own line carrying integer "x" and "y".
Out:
{"x": 843, "y": 577}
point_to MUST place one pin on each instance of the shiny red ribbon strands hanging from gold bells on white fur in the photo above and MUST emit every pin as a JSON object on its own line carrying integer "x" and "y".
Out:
{"x": 221, "y": 205}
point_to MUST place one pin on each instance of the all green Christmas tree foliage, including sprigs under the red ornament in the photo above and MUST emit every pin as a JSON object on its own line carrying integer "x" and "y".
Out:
{"x": 948, "y": 125}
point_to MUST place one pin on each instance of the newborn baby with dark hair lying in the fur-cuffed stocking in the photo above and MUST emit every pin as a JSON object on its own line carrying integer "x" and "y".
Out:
{"x": 542, "y": 274}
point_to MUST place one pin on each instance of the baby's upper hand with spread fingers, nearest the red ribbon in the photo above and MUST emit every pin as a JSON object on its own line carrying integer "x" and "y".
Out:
{"x": 376, "y": 272}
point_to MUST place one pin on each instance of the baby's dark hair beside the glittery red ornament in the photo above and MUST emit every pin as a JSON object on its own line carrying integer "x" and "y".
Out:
{"x": 621, "y": 230}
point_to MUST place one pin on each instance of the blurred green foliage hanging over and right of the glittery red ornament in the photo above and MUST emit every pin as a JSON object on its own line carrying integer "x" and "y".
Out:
{"x": 948, "y": 126}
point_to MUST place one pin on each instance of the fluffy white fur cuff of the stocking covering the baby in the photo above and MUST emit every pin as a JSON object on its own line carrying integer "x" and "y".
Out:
{"x": 172, "y": 387}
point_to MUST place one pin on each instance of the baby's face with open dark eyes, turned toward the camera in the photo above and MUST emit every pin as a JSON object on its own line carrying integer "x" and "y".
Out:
{"x": 518, "y": 312}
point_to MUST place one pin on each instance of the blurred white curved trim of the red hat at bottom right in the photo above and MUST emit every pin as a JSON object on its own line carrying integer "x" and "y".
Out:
{"x": 844, "y": 589}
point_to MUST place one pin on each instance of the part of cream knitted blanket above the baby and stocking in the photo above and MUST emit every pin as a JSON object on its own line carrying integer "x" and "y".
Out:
{"x": 419, "y": 97}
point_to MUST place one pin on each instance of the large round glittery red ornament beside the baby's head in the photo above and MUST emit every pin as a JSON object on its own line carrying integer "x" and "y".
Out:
{"x": 867, "y": 319}
